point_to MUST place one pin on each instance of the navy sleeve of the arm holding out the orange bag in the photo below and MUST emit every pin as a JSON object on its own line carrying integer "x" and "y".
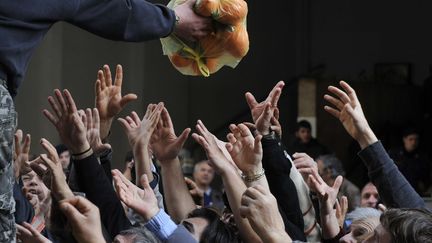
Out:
{"x": 128, "y": 20}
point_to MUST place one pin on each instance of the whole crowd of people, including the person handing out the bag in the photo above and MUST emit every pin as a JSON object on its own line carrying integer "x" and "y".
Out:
{"x": 71, "y": 193}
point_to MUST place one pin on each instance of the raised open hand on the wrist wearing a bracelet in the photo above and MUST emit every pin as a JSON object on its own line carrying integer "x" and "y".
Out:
{"x": 245, "y": 150}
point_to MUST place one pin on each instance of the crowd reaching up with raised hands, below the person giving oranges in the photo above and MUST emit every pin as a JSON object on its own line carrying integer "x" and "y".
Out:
{"x": 71, "y": 194}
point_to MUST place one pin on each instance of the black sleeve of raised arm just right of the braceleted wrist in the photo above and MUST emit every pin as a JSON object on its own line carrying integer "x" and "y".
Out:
{"x": 277, "y": 169}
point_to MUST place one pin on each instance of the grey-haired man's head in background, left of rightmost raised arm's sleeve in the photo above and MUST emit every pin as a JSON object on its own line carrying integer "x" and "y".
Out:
{"x": 329, "y": 167}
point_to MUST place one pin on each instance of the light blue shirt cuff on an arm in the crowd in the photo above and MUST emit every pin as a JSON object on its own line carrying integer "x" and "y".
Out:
{"x": 161, "y": 225}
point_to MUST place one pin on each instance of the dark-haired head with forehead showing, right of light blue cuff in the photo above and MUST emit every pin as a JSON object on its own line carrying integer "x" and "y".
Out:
{"x": 206, "y": 226}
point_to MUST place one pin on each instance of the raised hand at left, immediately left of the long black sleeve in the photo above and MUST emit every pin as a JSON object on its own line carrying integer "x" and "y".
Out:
{"x": 55, "y": 179}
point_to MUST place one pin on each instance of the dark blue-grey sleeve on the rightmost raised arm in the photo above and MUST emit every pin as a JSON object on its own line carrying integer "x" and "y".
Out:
{"x": 392, "y": 186}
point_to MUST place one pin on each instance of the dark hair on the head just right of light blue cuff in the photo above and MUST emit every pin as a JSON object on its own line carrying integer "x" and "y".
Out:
{"x": 217, "y": 230}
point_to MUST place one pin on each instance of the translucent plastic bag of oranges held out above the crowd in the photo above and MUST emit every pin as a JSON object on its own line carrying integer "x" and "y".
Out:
{"x": 226, "y": 46}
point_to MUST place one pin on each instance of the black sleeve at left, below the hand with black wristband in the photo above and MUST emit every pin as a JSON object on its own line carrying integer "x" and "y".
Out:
{"x": 99, "y": 190}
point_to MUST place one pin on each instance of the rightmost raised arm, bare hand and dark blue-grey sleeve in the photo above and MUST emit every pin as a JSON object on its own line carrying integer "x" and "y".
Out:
{"x": 392, "y": 186}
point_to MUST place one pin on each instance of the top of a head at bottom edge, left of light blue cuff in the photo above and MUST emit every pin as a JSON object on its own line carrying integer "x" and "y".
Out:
{"x": 136, "y": 235}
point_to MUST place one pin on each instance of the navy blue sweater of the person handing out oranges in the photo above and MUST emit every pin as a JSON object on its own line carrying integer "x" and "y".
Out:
{"x": 23, "y": 24}
